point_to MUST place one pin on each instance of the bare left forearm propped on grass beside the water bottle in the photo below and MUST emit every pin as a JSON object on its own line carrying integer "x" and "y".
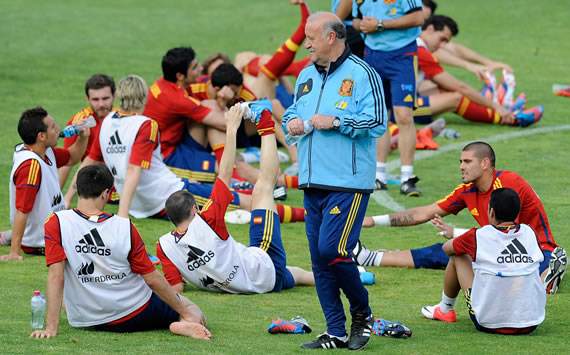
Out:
{"x": 54, "y": 300}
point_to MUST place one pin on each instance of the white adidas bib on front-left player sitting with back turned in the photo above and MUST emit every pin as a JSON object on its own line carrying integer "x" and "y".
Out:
{"x": 99, "y": 284}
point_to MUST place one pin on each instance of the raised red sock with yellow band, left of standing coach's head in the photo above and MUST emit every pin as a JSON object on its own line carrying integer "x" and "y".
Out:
{"x": 281, "y": 59}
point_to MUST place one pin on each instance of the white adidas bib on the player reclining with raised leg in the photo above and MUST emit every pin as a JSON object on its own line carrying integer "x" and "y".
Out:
{"x": 211, "y": 263}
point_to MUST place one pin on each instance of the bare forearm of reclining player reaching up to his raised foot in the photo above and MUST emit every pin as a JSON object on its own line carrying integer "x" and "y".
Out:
{"x": 233, "y": 118}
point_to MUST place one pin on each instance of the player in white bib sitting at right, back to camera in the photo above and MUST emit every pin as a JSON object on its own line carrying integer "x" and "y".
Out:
{"x": 496, "y": 266}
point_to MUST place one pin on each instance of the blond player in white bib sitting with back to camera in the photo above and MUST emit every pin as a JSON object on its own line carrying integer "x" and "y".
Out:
{"x": 129, "y": 145}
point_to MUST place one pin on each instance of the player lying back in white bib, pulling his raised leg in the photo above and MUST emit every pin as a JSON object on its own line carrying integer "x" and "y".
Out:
{"x": 202, "y": 252}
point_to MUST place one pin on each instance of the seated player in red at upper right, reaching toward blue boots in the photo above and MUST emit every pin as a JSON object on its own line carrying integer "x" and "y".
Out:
{"x": 448, "y": 94}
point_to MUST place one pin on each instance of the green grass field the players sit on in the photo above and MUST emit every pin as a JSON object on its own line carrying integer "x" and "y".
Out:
{"x": 49, "y": 48}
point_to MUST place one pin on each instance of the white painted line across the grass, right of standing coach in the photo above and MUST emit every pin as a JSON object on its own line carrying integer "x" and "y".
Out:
{"x": 383, "y": 199}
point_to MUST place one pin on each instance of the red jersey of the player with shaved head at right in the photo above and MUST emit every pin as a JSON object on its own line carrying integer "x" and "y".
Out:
{"x": 532, "y": 211}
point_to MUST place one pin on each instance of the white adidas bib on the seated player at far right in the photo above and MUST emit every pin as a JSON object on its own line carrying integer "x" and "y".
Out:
{"x": 507, "y": 290}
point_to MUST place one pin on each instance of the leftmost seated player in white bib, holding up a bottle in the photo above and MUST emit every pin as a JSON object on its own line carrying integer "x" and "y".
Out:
{"x": 34, "y": 186}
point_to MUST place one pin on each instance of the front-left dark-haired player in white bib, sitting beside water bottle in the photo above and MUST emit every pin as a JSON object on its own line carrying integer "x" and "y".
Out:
{"x": 99, "y": 268}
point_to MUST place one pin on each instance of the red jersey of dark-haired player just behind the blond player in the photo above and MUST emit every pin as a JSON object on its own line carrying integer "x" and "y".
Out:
{"x": 171, "y": 107}
